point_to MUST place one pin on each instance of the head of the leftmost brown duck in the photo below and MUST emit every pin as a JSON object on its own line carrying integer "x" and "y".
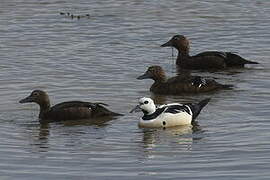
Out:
{"x": 39, "y": 97}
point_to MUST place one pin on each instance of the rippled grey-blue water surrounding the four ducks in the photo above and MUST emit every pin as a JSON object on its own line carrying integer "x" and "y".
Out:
{"x": 98, "y": 59}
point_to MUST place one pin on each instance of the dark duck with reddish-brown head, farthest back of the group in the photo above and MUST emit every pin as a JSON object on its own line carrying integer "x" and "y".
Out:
{"x": 205, "y": 60}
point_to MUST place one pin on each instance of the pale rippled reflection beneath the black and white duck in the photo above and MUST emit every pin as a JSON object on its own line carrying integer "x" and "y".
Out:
{"x": 175, "y": 140}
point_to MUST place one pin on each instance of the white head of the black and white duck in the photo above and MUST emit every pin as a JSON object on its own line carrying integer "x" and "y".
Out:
{"x": 146, "y": 105}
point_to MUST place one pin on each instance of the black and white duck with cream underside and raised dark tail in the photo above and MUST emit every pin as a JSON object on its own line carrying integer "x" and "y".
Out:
{"x": 167, "y": 115}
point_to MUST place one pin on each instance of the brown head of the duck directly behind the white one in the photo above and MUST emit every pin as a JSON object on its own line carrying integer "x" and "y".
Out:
{"x": 154, "y": 72}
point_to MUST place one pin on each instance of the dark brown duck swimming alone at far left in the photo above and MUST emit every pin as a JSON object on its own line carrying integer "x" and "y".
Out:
{"x": 70, "y": 110}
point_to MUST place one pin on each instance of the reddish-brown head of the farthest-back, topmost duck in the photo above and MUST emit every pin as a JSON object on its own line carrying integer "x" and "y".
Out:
{"x": 179, "y": 42}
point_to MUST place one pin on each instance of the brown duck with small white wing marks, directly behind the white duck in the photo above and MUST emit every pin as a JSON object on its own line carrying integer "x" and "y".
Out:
{"x": 183, "y": 83}
